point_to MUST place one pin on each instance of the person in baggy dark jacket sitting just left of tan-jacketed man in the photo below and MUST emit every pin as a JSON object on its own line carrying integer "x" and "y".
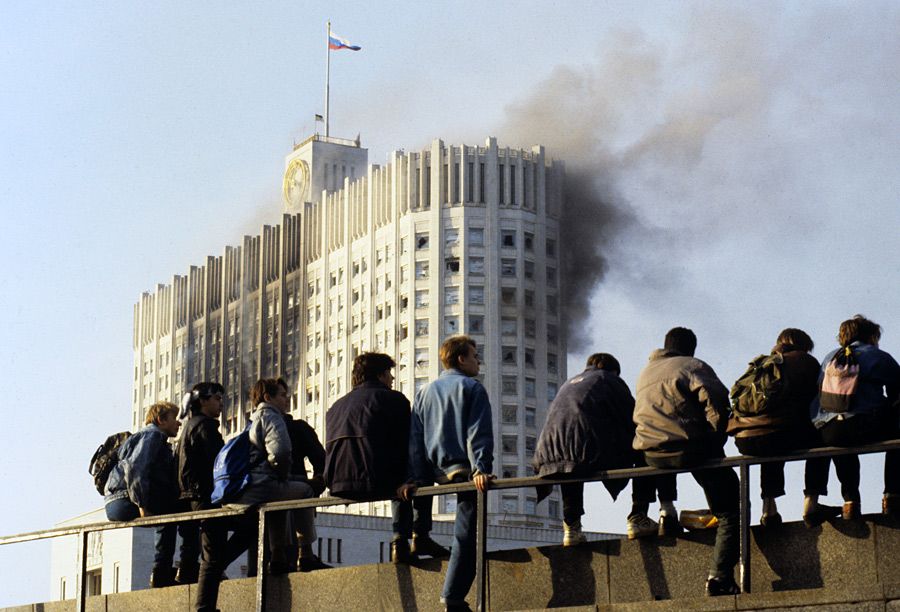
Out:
{"x": 589, "y": 428}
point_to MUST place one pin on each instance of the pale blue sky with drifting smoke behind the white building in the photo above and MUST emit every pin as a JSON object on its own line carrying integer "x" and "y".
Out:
{"x": 755, "y": 146}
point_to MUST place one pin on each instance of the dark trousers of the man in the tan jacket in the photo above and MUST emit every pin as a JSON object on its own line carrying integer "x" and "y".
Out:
{"x": 722, "y": 489}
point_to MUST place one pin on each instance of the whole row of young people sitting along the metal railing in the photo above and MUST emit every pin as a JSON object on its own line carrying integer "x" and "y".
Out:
{"x": 378, "y": 446}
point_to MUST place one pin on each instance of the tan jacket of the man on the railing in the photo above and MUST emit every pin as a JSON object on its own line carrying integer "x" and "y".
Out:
{"x": 681, "y": 405}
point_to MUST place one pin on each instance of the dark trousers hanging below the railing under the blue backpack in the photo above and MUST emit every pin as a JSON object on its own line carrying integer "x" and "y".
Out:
{"x": 218, "y": 552}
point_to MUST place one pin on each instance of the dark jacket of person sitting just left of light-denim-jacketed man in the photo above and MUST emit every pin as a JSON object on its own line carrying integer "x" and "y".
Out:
{"x": 368, "y": 441}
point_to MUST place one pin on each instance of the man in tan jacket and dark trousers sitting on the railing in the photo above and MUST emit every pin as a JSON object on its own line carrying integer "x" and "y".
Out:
{"x": 680, "y": 414}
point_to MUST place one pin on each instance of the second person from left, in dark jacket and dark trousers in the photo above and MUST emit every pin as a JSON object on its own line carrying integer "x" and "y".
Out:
{"x": 196, "y": 451}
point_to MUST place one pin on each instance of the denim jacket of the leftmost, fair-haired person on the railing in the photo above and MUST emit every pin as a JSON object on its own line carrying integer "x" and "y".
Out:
{"x": 145, "y": 473}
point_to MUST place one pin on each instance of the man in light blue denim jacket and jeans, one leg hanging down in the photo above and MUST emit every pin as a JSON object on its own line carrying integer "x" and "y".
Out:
{"x": 452, "y": 440}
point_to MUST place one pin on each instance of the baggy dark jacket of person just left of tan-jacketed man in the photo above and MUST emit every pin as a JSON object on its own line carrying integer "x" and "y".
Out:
{"x": 589, "y": 428}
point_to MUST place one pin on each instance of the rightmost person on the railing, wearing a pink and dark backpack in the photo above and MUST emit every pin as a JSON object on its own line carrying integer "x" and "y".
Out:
{"x": 869, "y": 418}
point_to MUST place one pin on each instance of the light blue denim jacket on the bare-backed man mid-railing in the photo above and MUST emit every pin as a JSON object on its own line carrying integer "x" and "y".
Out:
{"x": 451, "y": 429}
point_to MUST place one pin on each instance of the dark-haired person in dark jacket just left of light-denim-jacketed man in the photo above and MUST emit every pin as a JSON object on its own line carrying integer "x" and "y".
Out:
{"x": 366, "y": 453}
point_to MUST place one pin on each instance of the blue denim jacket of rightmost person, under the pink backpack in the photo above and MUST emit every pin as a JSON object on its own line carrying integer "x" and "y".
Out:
{"x": 878, "y": 386}
